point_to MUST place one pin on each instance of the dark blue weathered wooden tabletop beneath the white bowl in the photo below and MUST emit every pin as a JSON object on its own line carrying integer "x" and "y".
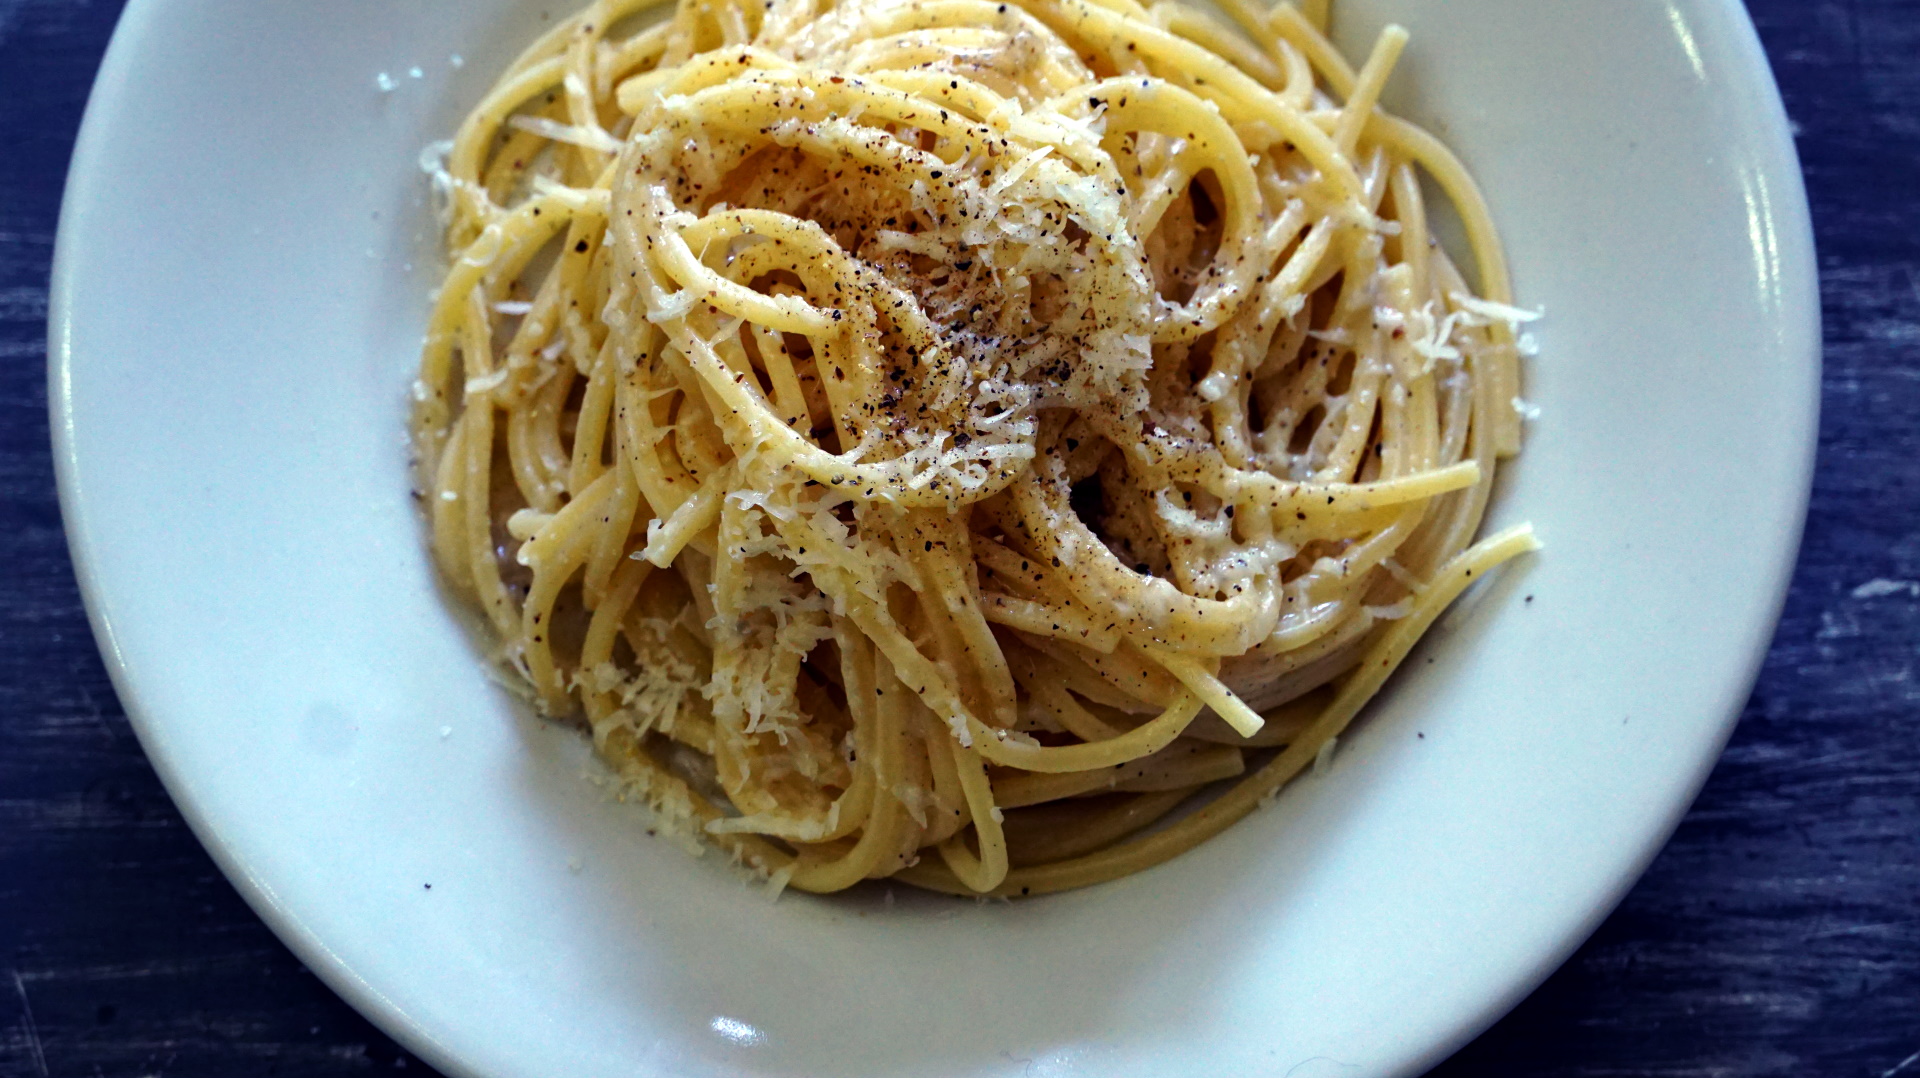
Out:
{"x": 1777, "y": 935}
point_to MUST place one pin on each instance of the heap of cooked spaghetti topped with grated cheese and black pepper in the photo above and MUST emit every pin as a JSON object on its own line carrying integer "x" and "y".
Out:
{"x": 944, "y": 439}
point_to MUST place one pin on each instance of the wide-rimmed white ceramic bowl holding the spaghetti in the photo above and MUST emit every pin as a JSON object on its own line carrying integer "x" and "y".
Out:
{"x": 241, "y": 285}
